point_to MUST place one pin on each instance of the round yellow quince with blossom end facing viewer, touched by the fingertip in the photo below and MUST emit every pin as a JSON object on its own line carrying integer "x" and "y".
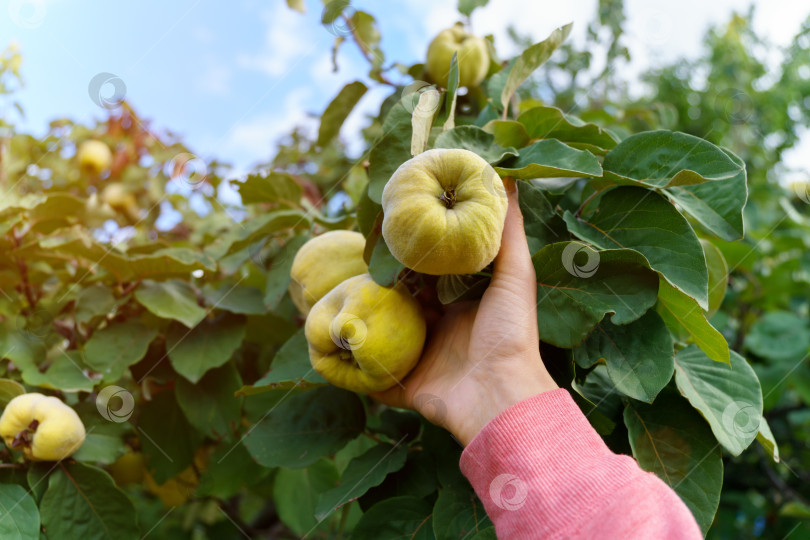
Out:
{"x": 427, "y": 236}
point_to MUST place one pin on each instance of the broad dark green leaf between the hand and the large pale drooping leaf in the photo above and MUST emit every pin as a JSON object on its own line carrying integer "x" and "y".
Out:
{"x": 638, "y": 355}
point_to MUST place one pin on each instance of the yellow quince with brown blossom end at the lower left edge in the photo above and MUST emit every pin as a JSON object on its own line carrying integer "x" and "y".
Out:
{"x": 59, "y": 432}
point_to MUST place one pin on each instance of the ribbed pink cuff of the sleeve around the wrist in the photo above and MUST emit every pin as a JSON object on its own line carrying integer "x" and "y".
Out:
{"x": 542, "y": 455}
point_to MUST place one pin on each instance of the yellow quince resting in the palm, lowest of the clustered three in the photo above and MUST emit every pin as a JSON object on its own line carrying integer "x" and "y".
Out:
{"x": 364, "y": 337}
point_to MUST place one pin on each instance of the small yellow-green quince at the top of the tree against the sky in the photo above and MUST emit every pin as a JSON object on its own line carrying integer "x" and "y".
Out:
{"x": 473, "y": 56}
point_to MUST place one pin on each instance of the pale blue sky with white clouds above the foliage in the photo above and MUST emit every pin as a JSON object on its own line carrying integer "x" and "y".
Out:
{"x": 232, "y": 77}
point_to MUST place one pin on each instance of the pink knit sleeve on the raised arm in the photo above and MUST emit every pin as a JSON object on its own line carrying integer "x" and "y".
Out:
{"x": 543, "y": 472}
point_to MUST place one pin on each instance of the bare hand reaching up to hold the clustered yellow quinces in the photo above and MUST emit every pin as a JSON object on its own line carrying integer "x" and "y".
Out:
{"x": 483, "y": 357}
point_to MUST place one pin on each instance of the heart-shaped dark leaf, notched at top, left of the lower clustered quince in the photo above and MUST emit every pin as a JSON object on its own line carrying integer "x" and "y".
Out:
{"x": 208, "y": 345}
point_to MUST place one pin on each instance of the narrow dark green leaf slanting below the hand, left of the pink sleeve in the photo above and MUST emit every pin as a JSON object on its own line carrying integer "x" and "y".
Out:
{"x": 363, "y": 473}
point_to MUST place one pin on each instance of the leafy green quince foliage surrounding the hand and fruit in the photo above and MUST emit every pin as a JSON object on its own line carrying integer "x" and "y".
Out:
{"x": 686, "y": 331}
